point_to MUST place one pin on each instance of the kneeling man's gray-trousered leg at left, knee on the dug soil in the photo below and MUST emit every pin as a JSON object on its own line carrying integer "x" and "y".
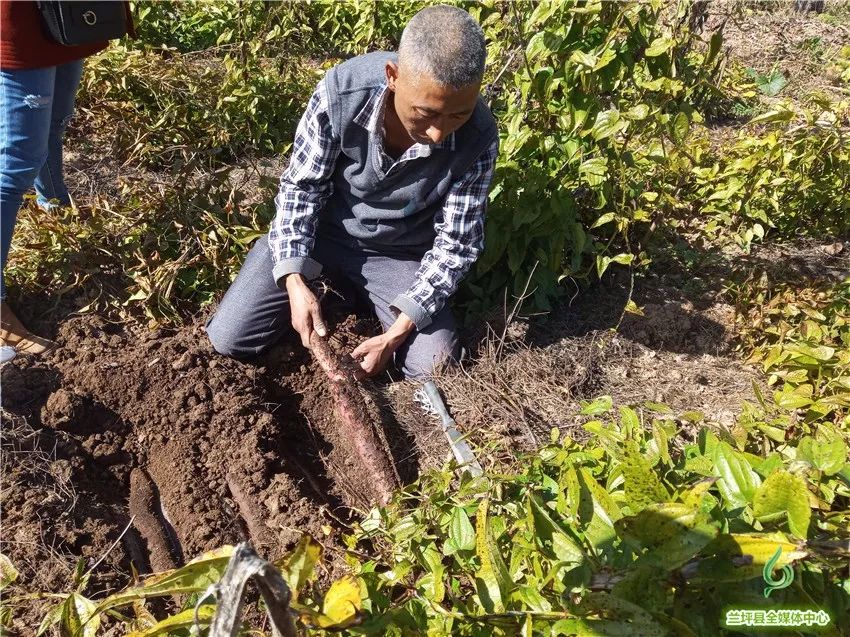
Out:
{"x": 254, "y": 311}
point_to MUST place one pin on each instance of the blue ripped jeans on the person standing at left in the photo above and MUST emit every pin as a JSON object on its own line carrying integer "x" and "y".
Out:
{"x": 35, "y": 107}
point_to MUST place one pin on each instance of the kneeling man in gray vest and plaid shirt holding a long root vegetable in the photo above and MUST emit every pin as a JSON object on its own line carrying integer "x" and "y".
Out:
{"x": 385, "y": 195}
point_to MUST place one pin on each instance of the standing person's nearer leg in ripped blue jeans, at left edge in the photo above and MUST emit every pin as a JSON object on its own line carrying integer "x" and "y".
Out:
{"x": 26, "y": 98}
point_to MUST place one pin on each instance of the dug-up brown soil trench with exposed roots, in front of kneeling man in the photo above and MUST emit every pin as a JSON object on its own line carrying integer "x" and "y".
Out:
{"x": 153, "y": 442}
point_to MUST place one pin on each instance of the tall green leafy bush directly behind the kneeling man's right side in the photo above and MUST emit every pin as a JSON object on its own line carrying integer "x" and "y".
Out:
{"x": 594, "y": 100}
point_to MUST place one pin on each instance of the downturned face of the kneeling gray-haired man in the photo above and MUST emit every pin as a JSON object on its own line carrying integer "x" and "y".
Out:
{"x": 428, "y": 110}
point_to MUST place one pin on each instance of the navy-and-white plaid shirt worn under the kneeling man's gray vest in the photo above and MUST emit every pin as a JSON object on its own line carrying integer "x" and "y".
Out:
{"x": 306, "y": 185}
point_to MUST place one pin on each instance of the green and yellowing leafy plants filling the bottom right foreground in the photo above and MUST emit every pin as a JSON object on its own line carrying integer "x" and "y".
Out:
{"x": 640, "y": 534}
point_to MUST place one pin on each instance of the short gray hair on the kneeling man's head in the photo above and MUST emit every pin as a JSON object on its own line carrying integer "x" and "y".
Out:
{"x": 445, "y": 43}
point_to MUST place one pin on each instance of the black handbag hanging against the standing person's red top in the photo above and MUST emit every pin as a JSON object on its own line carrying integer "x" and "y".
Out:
{"x": 73, "y": 23}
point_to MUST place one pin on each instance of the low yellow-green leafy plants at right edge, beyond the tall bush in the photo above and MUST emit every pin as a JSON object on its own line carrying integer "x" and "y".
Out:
{"x": 787, "y": 174}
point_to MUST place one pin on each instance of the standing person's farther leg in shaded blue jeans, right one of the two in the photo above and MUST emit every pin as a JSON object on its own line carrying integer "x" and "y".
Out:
{"x": 50, "y": 184}
